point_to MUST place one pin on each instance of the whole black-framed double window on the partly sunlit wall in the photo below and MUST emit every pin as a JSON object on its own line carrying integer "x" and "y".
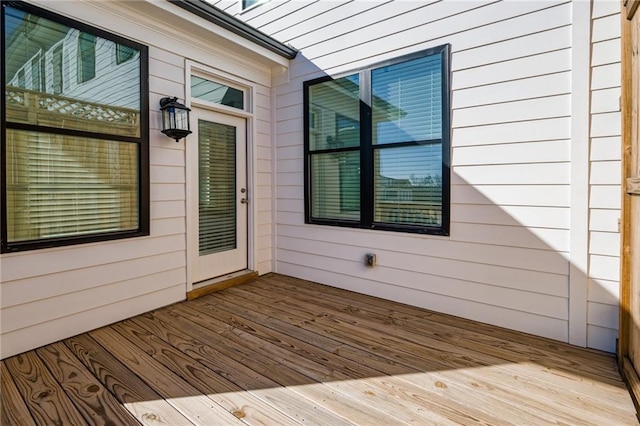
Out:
{"x": 377, "y": 146}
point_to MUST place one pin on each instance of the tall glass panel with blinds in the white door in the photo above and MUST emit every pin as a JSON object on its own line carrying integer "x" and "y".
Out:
{"x": 217, "y": 187}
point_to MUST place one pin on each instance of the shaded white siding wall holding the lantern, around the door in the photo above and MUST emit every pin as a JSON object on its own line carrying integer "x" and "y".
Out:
{"x": 50, "y": 294}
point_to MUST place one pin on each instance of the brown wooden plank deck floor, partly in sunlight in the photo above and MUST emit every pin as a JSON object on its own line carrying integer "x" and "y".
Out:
{"x": 281, "y": 351}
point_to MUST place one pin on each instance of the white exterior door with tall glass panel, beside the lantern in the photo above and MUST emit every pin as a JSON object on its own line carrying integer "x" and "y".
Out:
{"x": 217, "y": 195}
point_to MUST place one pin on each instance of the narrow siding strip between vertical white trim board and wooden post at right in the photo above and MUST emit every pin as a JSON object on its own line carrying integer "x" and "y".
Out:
{"x": 604, "y": 179}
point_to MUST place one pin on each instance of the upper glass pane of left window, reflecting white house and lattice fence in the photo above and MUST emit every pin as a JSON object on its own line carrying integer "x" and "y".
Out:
{"x": 90, "y": 95}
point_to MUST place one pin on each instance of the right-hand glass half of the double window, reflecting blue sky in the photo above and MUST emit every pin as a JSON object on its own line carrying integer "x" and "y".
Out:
{"x": 407, "y": 108}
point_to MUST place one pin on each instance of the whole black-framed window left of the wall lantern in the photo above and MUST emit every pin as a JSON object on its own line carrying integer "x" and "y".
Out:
{"x": 74, "y": 134}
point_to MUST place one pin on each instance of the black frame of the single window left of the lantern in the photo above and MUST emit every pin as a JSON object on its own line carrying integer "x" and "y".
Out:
{"x": 142, "y": 141}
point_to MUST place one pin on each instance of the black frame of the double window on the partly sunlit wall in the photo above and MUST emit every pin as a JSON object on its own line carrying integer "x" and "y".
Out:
{"x": 367, "y": 150}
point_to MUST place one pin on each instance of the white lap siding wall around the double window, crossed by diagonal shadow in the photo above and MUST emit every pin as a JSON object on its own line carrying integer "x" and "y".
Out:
{"x": 508, "y": 259}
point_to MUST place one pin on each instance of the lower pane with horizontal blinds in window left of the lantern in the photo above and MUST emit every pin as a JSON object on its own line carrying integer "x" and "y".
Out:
{"x": 60, "y": 186}
